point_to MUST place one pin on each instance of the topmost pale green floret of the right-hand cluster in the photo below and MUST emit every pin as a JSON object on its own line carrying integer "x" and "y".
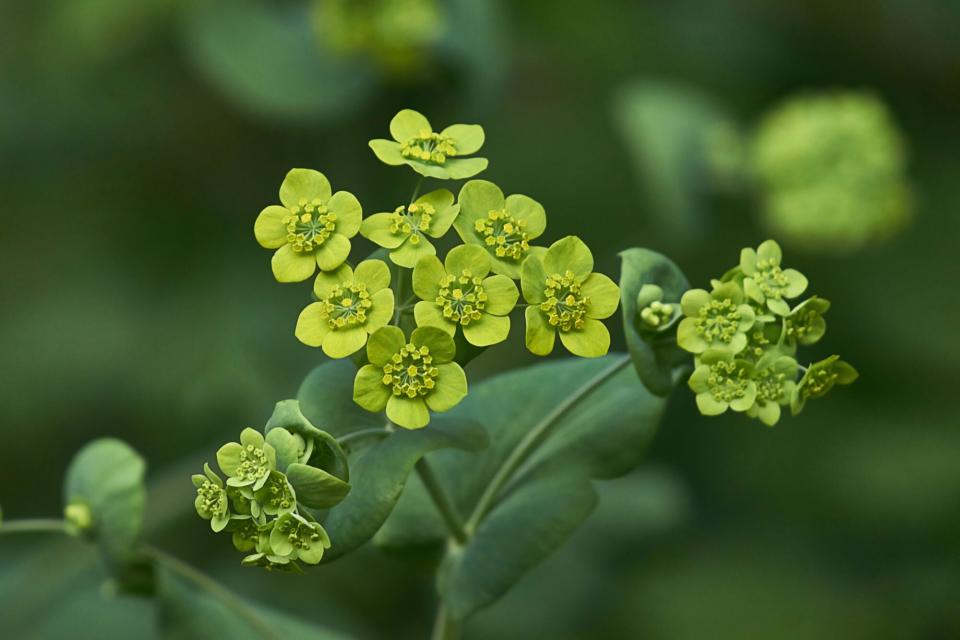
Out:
{"x": 766, "y": 282}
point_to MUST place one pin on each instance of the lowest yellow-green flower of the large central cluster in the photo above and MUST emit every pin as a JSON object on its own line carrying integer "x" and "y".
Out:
{"x": 410, "y": 379}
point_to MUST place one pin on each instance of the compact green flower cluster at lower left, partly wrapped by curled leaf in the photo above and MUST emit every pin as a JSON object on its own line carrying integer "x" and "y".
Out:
{"x": 271, "y": 484}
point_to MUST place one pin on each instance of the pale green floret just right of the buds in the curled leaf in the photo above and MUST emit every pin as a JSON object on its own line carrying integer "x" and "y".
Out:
{"x": 715, "y": 320}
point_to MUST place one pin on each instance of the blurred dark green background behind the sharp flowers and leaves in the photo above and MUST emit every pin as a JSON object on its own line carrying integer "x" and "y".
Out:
{"x": 139, "y": 140}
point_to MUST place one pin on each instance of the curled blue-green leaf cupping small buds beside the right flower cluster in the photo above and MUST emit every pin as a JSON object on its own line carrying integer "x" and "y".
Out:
{"x": 655, "y": 355}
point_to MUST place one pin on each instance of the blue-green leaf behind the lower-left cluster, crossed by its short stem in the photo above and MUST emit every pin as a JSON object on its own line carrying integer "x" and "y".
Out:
{"x": 379, "y": 467}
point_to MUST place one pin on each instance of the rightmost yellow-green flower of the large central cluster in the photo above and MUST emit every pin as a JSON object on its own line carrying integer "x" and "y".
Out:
{"x": 565, "y": 296}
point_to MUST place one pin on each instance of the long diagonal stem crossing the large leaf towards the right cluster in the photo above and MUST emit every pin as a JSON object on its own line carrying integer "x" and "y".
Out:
{"x": 534, "y": 438}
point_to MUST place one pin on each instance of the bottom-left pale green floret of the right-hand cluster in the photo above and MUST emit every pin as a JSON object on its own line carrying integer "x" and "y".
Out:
{"x": 722, "y": 382}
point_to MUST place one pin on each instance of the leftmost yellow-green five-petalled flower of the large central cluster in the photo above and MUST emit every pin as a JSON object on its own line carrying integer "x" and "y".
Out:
{"x": 313, "y": 228}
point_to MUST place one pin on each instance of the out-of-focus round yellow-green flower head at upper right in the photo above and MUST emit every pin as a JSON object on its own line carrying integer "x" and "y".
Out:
{"x": 831, "y": 169}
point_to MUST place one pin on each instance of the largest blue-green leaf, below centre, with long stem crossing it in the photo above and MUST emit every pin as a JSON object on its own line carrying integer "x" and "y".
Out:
{"x": 603, "y": 436}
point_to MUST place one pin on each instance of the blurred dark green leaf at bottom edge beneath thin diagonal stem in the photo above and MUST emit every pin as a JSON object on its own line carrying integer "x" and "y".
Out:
{"x": 187, "y": 613}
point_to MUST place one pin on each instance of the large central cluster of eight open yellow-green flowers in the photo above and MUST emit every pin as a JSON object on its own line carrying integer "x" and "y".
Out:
{"x": 406, "y": 346}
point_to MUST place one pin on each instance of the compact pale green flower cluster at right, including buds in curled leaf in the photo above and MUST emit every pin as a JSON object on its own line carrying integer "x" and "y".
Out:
{"x": 745, "y": 334}
